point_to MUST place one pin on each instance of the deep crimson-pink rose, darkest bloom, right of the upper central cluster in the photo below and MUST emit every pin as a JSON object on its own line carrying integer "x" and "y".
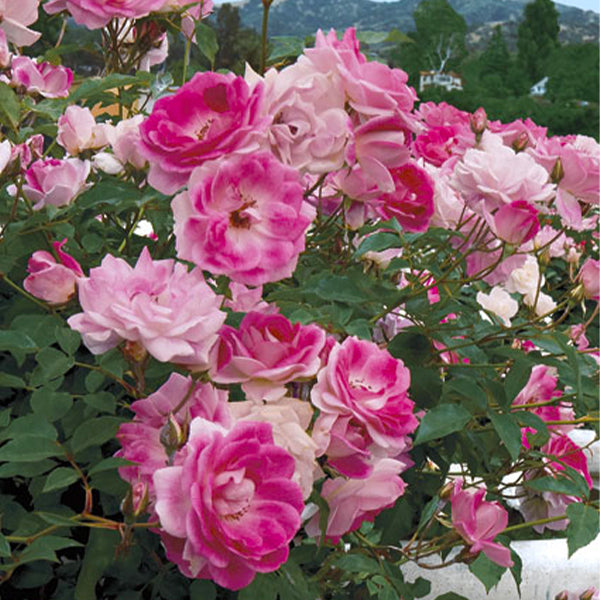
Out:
{"x": 411, "y": 202}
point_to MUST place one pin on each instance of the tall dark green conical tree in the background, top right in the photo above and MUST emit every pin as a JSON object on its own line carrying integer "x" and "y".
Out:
{"x": 537, "y": 37}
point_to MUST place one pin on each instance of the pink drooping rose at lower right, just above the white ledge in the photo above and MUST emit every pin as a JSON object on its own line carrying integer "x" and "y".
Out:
{"x": 478, "y": 522}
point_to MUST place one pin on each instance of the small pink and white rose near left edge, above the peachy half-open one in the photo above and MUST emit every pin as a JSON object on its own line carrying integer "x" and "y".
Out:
{"x": 41, "y": 78}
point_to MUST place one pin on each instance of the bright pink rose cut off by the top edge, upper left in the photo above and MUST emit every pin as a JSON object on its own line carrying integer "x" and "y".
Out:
{"x": 95, "y": 14}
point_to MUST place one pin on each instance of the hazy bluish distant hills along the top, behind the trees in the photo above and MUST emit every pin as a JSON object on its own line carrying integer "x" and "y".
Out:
{"x": 304, "y": 17}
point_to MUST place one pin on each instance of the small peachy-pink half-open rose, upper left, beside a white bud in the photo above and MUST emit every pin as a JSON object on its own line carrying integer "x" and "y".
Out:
{"x": 78, "y": 130}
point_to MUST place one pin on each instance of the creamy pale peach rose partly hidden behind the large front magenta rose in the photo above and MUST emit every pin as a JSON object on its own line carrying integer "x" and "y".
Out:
{"x": 289, "y": 418}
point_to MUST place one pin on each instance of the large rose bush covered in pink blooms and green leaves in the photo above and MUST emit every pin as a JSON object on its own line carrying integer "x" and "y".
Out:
{"x": 279, "y": 335}
